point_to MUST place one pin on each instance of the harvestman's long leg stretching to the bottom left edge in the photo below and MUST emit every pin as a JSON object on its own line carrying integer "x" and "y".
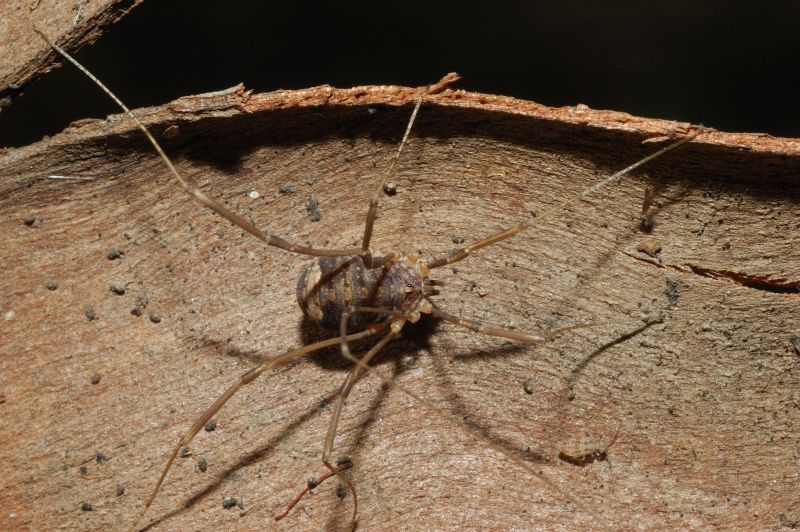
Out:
{"x": 246, "y": 378}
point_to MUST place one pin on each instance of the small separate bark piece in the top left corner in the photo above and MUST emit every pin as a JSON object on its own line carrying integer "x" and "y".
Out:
{"x": 71, "y": 24}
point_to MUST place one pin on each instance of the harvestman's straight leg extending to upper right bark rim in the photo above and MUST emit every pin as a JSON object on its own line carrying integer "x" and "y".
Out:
{"x": 464, "y": 252}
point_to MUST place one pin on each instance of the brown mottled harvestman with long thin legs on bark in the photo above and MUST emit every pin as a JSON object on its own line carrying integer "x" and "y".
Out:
{"x": 359, "y": 289}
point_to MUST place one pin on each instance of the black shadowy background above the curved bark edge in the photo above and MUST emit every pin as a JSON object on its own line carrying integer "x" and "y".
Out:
{"x": 727, "y": 65}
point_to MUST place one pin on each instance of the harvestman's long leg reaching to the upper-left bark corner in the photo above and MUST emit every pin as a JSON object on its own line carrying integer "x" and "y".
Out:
{"x": 193, "y": 191}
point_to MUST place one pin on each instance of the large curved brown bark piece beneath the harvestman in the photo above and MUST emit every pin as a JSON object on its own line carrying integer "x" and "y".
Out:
{"x": 706, "y": 403}
